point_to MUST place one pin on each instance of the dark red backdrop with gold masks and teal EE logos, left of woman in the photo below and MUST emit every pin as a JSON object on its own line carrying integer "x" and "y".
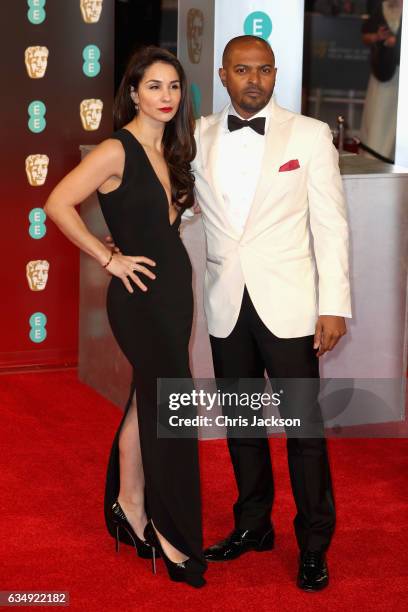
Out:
{"x": 56, "y": 94}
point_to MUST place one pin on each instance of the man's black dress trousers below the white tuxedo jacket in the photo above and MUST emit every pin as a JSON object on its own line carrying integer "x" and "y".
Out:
{"x": 247, "y": 352}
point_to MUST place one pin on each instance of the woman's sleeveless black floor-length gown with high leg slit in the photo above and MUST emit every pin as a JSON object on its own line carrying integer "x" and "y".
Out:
{"x": 153, "y": 330}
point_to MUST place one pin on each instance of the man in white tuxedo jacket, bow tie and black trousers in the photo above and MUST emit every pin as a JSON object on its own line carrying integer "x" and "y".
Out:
{"x": 262, "y": 173}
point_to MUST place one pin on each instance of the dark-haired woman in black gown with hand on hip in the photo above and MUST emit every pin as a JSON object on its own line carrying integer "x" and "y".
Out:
{"x": 143, "y": 178}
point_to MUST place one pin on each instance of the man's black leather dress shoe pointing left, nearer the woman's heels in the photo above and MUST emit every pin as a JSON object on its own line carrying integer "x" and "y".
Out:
{"x": 239, "y": 542}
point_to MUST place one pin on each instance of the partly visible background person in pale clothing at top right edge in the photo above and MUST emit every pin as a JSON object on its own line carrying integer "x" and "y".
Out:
{"x": 382, "y": 32}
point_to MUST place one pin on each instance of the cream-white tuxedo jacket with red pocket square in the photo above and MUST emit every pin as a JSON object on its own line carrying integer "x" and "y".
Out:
{"x": 274, "y": 255}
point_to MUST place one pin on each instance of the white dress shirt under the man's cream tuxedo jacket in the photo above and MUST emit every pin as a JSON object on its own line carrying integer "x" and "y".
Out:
{"x": 238, "y": 166}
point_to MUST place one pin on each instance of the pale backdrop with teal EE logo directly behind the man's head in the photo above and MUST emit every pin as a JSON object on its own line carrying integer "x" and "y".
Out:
{"x": 205, "y": 27}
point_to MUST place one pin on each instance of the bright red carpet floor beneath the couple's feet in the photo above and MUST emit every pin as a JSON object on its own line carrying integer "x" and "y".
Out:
{"x": 56, "y": 435}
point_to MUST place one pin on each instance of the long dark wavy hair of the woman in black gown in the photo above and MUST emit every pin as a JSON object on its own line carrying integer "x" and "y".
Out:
{"x": 179, "y": 146}
